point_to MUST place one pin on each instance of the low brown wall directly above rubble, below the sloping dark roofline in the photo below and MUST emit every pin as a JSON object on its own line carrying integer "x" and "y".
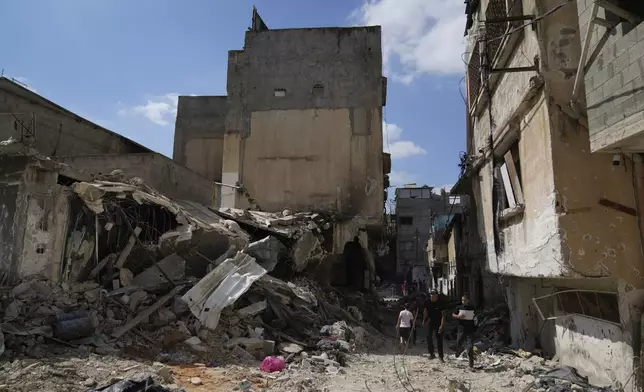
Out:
{"x": 155, "y": 169}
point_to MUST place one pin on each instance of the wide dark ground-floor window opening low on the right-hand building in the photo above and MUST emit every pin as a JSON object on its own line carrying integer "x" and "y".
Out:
{"x": 595, "y": 304}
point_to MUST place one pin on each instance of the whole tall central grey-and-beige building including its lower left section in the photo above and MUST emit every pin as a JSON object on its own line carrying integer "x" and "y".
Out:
{"x": 300, "y": 129}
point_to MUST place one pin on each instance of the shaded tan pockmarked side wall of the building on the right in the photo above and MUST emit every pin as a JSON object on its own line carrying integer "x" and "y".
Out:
{"x": 597, "y": 240}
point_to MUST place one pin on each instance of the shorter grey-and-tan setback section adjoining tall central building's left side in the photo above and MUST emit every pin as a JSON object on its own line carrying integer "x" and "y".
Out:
{"x": 199, "y": 134}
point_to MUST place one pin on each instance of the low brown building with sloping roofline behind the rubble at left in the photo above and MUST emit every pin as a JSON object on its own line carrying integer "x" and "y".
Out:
{"x": 55, "y": 132}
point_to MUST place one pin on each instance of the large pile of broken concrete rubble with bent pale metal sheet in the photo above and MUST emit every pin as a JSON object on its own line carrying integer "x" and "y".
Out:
{"x": 176, "y": 282}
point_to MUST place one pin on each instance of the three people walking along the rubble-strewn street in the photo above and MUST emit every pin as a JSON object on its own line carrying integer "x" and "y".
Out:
{"x": 433, "y": 316}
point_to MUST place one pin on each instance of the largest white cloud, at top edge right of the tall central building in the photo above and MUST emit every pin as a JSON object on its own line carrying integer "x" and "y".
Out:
{"x": 425, "y": 36}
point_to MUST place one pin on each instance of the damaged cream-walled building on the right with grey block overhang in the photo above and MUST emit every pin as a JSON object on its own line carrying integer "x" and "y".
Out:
{"x": 559, "y": 222}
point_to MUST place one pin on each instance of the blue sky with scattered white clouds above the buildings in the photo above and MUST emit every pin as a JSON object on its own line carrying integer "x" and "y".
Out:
{"x": 123, "y": 63}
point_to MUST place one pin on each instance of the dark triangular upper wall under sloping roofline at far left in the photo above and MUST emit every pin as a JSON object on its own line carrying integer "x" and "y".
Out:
{"x": 59, "y": 132}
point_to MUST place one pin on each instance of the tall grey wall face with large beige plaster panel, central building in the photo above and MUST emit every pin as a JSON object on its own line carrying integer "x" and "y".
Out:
{"x": 304, "y": 124}
